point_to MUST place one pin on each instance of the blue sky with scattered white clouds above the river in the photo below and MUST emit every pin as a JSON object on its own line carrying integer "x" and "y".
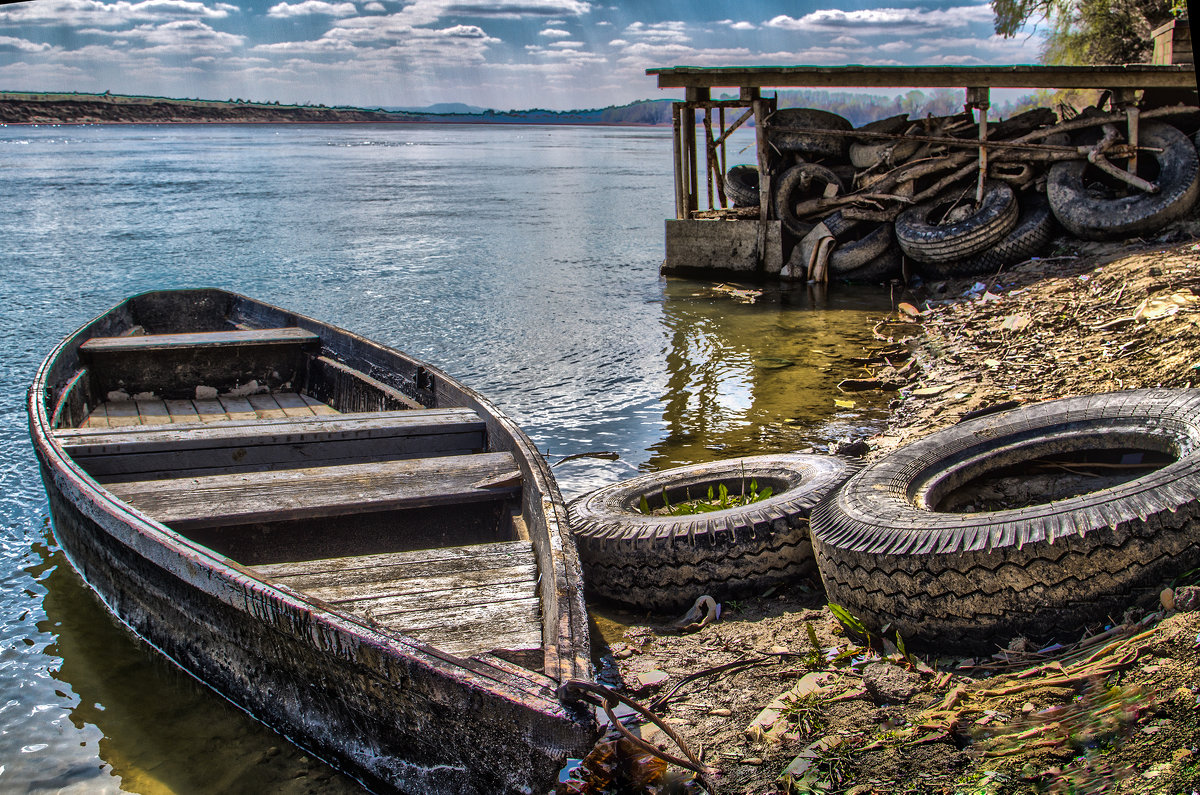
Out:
{"x": 502, "y": 55}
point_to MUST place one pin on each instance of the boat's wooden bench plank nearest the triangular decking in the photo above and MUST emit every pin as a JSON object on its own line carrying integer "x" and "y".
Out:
{"x": 289, "y": 495}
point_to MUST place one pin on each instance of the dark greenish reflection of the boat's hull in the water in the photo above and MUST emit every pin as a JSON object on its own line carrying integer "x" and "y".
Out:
{"x": 161, "y": 731}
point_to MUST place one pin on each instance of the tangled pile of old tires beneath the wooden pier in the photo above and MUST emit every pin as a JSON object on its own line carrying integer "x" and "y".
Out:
{"x": 952, "y": 236}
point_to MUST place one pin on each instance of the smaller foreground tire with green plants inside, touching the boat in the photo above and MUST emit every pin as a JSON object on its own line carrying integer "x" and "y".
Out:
{"x": 664, "y": 564}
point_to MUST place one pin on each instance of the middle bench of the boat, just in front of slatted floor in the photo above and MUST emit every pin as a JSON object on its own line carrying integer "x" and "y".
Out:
{"x": 176, "y": 451}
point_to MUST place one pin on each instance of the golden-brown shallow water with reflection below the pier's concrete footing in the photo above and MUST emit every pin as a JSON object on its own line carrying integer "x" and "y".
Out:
{"x": 753, "y": 379}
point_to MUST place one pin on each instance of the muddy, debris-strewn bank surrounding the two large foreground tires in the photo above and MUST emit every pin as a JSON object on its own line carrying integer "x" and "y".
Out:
{"x": 781, "y": 697}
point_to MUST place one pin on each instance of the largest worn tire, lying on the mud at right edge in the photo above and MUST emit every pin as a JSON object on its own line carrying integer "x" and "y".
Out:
{"x": 973, "y": 581}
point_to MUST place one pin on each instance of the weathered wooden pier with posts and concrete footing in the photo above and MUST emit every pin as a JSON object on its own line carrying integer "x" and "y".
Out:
{"x": 722, "y": 241}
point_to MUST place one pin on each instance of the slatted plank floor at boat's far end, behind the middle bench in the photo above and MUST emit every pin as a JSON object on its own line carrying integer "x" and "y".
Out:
{"x": 117, "y": 414}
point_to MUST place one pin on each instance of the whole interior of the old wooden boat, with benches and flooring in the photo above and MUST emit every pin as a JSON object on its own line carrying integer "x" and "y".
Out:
{"x": 296, "y": 463}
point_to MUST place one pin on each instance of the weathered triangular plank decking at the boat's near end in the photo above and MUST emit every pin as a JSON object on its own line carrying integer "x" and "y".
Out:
{"x": 461, "y": 600}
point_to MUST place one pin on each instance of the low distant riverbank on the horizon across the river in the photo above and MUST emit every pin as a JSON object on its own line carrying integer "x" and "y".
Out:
{"x": 57, "y": 109}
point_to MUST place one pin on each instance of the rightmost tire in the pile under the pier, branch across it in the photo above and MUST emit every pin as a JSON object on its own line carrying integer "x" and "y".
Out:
{"x": 1088, "y": 211}
